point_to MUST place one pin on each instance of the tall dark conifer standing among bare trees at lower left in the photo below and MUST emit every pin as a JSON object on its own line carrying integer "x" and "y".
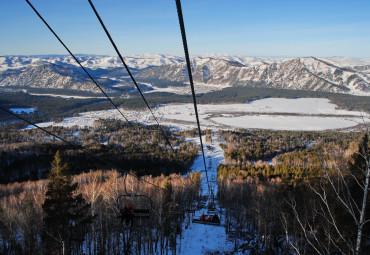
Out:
{"x": 66, "y": 214}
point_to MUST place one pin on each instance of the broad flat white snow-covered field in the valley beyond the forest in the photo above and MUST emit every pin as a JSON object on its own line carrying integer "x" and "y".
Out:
{"x": 271, "y": 113}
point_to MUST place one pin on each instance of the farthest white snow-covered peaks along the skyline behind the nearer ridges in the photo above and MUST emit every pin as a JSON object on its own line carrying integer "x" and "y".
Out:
{"x": 150, "y": 60}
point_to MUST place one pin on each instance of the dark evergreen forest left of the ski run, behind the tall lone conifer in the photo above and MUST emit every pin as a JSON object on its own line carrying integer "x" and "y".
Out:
{"x": 110, "y": 144}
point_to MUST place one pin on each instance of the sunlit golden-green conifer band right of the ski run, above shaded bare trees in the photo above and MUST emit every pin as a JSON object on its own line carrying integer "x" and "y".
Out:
{"x": 283, "y": 154}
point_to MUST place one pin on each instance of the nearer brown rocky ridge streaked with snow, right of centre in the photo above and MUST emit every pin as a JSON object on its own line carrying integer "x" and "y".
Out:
{"x": 300, "y": 73}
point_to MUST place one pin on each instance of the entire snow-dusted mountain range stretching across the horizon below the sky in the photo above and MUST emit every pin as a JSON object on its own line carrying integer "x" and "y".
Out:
{"x": 337, "y": 74}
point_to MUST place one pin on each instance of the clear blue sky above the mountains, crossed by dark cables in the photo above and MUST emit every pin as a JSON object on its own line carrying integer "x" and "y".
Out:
{"x": 237, "y": 27}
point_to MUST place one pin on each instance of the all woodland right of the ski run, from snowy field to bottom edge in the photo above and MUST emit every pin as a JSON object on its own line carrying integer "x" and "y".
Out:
{"x": 310, "y": 199}
